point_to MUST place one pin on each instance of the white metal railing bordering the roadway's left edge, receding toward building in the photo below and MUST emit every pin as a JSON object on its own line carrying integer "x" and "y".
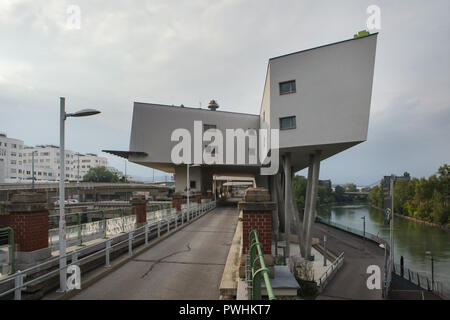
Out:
{"x": 162, "y": 226}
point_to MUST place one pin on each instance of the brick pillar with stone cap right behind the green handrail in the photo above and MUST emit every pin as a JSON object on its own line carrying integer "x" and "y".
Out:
{"x": 257, "y": 210}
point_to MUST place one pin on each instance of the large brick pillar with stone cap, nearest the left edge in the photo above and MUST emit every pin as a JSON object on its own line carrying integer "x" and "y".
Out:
{"x": 27, "y": 213}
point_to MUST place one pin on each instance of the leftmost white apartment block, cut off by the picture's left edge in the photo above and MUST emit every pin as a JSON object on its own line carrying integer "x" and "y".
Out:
{"x": 11, "y": 160}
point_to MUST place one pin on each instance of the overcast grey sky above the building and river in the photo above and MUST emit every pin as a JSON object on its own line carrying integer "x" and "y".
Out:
{"x": 189, "y": 52}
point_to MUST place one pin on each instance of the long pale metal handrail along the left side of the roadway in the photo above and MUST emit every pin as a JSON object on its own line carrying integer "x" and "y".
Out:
{"x": 19, "y": 276}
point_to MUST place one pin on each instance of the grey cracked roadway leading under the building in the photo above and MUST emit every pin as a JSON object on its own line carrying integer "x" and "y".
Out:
{"x": 187, "y": 265}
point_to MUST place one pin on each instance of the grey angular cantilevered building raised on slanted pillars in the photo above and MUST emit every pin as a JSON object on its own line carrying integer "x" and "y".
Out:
{"x": 319, "y": 99}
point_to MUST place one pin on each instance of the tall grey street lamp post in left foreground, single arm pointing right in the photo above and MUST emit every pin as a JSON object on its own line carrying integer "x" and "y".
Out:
{"x": 62, "y": 219}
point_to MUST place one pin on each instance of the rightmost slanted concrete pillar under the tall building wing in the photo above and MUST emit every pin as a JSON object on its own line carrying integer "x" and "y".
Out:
{"x": 310, "y": 203}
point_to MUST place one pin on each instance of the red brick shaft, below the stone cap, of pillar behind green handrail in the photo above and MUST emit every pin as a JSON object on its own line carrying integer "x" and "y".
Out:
{"x": 261, "y": 221}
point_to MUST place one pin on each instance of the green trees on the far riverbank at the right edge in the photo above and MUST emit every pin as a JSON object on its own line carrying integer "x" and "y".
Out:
{"x": 426, "y": 199}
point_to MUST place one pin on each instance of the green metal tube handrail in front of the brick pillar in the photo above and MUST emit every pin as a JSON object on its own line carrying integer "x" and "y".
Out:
{"x": 256, "y": 255}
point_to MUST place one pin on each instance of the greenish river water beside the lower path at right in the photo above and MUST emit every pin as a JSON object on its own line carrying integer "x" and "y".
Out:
{"x": 411, "y": 239}
